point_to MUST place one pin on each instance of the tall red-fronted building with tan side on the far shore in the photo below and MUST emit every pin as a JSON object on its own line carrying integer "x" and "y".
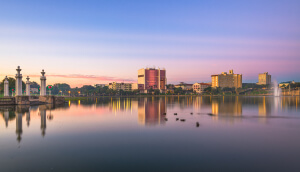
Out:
{"x": 151, "y": 78}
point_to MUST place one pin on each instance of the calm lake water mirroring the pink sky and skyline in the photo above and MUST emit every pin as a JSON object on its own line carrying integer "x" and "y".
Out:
{"x": 133, "y": 134}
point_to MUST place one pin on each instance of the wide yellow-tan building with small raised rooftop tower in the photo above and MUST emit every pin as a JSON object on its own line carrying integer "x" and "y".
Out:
{"x": 224, "y": 79}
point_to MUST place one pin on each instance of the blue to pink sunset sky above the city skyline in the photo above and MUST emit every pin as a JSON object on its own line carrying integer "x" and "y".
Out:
{"x": 100, "y": 41}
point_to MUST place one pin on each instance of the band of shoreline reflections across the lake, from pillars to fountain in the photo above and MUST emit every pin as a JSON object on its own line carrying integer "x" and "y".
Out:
{"x": 149, "y": 110}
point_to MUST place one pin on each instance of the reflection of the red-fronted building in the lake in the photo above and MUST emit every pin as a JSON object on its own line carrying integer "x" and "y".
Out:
{"x": 150, "y": 111}
